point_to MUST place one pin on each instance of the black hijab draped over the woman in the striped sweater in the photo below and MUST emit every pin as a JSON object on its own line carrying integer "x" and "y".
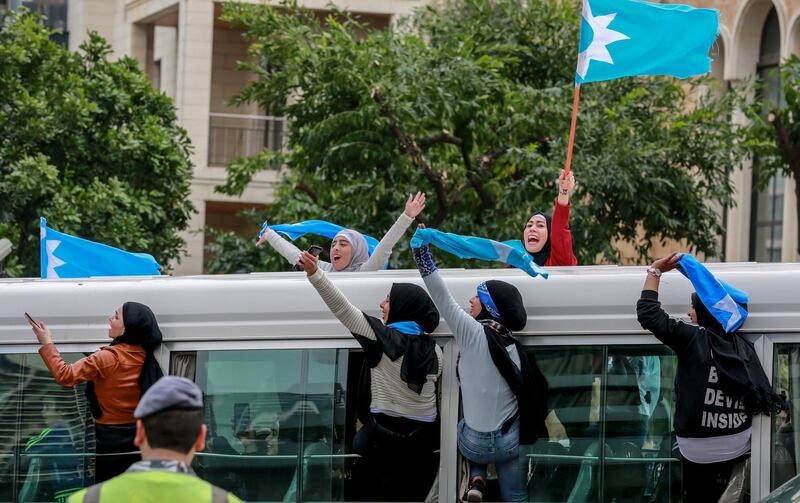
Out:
{"x": 408, "y": 302}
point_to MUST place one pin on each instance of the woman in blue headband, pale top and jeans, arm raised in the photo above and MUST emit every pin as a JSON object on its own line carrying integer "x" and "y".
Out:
{"x": 503, "y": 392}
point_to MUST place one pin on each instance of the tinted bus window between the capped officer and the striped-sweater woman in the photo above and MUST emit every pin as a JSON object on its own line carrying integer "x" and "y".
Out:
{"x": 276, "y": 423}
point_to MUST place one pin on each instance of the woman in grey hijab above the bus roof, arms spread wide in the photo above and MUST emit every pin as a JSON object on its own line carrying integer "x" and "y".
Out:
{"x": 349, "y": 251}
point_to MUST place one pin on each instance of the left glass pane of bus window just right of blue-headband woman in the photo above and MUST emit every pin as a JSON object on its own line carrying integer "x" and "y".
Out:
{"x": 566, "y": 466}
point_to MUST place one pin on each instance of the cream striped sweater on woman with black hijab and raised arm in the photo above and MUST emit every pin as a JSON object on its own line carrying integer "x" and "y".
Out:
{"x": 390, "y": 395}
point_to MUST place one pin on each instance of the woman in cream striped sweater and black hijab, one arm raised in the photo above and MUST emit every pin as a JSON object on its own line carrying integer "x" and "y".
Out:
{"x": 397, "y": 393}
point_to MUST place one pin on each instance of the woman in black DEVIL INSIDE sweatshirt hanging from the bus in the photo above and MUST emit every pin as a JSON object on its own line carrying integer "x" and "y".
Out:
{"x": 720, "y": 385}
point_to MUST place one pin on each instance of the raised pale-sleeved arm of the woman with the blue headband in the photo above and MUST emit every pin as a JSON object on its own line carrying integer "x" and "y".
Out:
{"x": 465, "y": 328}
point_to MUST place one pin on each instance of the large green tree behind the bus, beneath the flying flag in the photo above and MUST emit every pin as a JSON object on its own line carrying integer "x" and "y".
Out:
{"x": 470, "y": 101}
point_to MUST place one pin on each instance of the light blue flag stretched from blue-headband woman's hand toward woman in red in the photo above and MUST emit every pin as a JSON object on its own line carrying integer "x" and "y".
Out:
{"x": 480, "y": 248}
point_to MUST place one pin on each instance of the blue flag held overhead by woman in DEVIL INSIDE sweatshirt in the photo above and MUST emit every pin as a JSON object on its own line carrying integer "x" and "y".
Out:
{"x": 721, "y": 299}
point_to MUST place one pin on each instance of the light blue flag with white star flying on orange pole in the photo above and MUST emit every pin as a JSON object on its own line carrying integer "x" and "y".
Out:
{"x": 620, "y": 38}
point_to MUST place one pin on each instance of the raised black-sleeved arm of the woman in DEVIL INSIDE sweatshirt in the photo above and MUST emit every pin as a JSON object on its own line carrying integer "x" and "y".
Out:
{"x": 673, "y": 333}
